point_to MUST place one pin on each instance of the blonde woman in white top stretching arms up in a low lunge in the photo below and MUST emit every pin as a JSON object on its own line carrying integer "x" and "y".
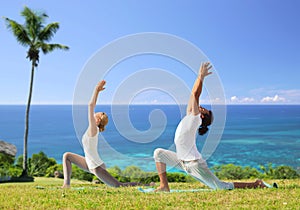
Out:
{"x": 91, "y": 162}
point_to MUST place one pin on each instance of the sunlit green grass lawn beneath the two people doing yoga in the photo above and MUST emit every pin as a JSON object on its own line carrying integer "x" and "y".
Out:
{"x": 45, "y": 193}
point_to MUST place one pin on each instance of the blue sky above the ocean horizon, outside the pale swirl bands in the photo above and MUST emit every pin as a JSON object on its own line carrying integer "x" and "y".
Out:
{"x": 253, "y": 44}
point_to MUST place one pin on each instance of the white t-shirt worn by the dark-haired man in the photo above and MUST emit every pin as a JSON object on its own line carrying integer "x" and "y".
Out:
{"x": 185, "y": 138}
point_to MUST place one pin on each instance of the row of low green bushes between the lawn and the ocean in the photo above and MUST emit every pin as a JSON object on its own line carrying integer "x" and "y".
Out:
{"x": 41, "y": 166}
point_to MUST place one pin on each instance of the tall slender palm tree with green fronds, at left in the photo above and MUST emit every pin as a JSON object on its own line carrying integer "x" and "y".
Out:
{"x": 34, "y": 35}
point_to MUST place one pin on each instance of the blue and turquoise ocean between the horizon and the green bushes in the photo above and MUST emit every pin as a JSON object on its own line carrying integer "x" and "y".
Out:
{"x": 253, "y": 135}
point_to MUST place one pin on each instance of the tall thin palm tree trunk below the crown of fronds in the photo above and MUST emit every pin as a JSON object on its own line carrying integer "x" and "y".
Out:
{"x": 25, "y": 165}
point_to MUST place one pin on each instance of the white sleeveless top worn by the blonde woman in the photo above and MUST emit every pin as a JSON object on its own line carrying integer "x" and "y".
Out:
{"x": 90, "y": 147}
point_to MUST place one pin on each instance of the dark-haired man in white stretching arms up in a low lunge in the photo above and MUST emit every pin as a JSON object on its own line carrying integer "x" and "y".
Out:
{"x": 187, "y": 157}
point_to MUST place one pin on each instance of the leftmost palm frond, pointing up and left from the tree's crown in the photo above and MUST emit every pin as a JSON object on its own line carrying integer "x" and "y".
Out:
{"x": 19, "y": 31}
